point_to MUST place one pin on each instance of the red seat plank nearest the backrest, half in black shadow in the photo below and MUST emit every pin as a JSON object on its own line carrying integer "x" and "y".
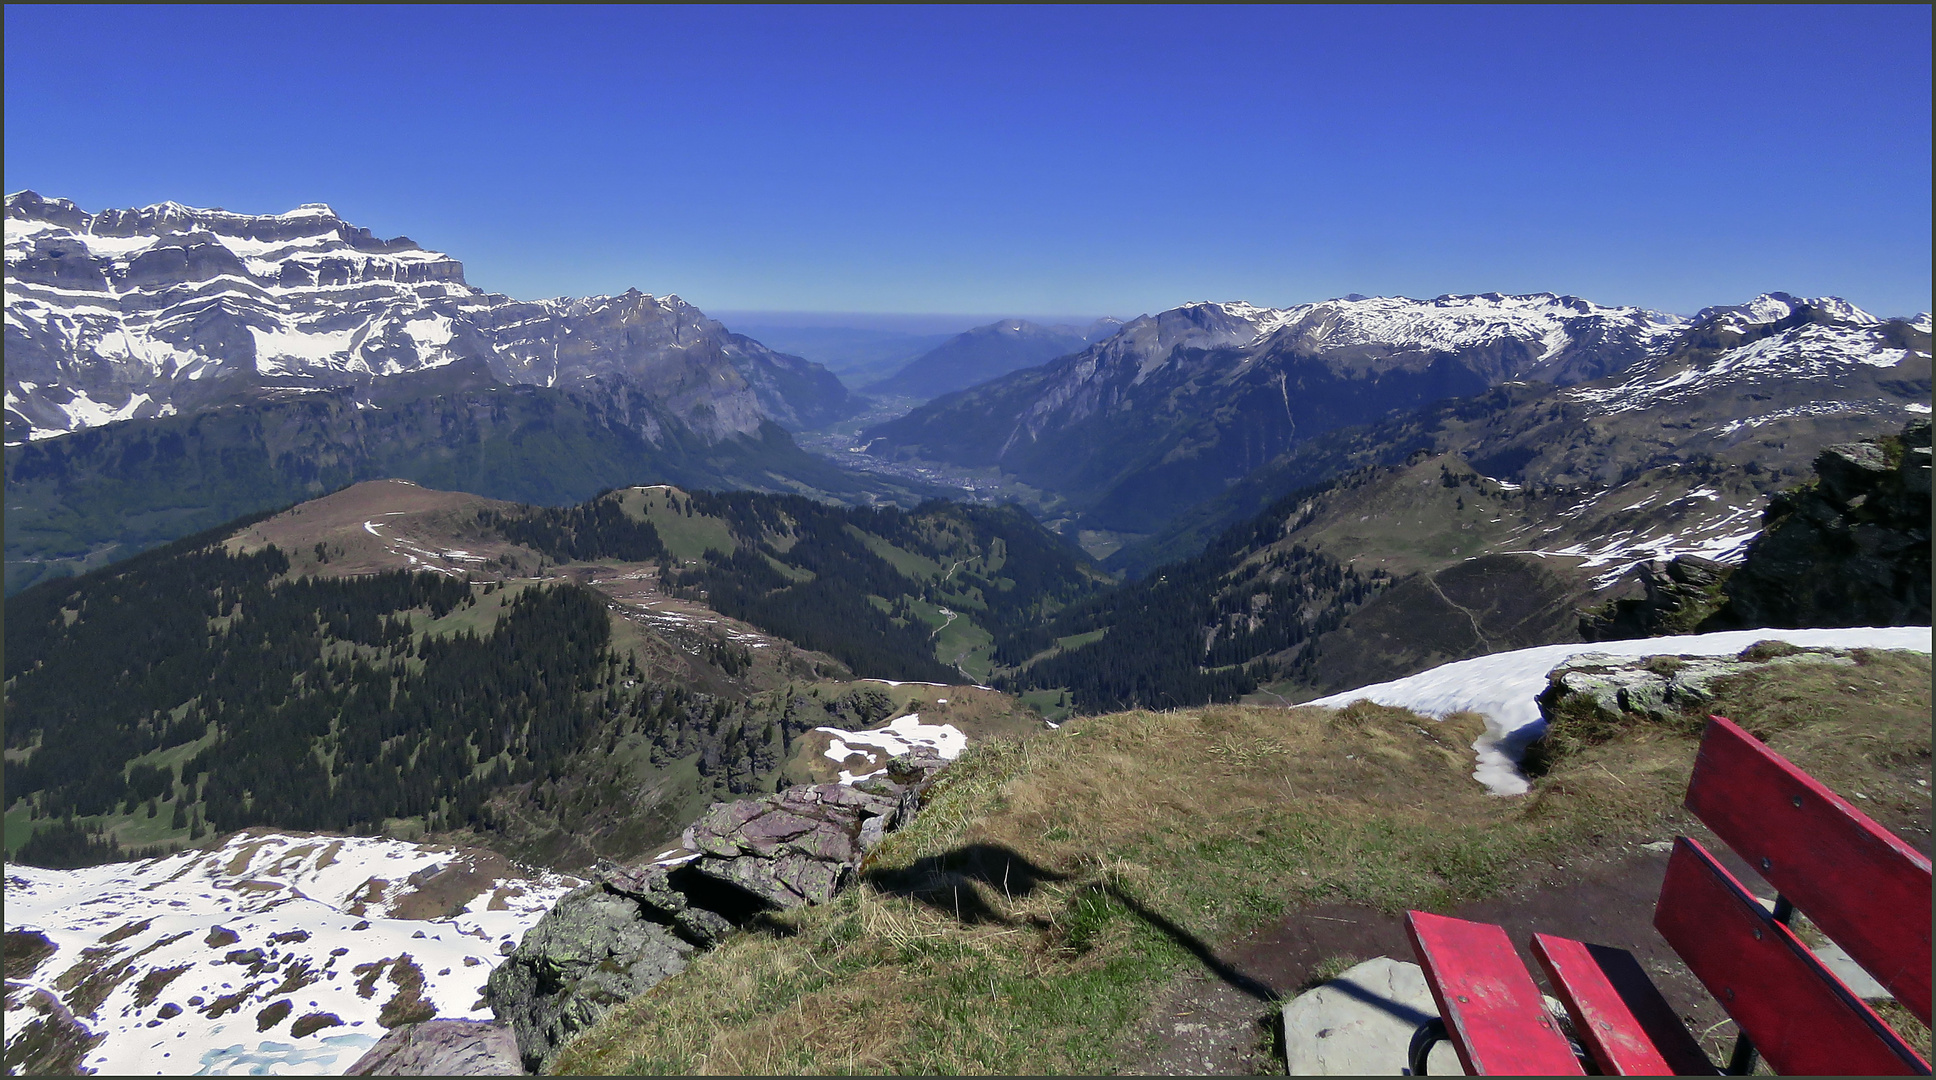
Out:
{"x": 1619, "y": 1017}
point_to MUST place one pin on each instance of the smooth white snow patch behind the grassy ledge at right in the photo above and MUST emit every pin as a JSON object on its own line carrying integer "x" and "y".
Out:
{"x": 1503, "y": 688}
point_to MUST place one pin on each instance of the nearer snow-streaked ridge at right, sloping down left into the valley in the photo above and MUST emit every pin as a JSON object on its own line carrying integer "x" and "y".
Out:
{"x": 1753, "y": 390}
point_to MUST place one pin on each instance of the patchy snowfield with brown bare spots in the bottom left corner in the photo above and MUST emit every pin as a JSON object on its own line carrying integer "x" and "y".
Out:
{"x": 272, "y": 953}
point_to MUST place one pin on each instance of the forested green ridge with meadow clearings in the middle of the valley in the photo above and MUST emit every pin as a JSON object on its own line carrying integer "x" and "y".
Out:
{"x": 905, "y": 595}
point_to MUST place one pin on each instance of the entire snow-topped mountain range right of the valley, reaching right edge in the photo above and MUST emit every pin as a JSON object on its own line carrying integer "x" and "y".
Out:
{"x": 1135, "y": 431}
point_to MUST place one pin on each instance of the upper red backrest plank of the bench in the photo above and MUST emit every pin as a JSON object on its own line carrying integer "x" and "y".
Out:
{"x": 1867, "y": 889}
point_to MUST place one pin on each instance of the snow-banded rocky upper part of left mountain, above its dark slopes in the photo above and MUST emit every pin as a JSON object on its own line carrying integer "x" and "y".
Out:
{"x": 148, "y": 313}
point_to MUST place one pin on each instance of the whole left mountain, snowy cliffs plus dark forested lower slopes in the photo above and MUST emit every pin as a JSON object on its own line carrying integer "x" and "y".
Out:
{"x": 171, "y": 369}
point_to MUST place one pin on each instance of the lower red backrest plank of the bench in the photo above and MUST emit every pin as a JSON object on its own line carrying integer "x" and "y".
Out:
{"x": 1800, "y": 1015}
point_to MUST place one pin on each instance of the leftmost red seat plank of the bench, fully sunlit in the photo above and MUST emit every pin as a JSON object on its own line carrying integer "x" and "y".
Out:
{"x": 1494, "y": 1013}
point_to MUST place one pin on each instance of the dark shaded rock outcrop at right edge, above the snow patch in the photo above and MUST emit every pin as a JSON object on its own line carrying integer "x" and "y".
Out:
{"x": 1850, "y": 551}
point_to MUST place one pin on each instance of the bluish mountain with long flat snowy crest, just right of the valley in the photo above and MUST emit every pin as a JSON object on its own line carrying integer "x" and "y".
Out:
{"x": 1180, "y": 404}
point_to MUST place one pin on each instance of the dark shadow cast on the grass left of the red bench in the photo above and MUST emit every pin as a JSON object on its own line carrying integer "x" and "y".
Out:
{"x": 938, "y": 882}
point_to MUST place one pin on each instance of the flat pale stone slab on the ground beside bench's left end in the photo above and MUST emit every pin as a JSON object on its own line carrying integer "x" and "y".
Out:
{"x": 1362, "y": 1025}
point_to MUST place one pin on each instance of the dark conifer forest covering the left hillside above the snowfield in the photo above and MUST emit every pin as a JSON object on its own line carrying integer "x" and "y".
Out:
{"x": 235, "y": 696}
